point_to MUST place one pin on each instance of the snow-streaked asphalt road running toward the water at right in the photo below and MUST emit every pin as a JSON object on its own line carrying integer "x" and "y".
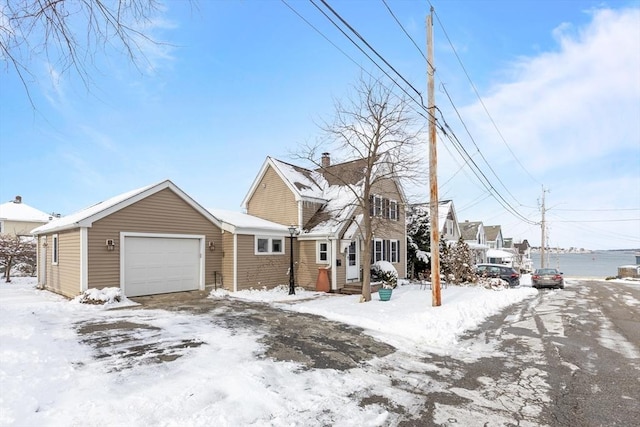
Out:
{"x": 565, "y": 358}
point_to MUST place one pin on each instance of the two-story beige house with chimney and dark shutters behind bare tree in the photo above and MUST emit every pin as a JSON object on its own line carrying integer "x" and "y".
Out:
{"x": 322, "y": 204}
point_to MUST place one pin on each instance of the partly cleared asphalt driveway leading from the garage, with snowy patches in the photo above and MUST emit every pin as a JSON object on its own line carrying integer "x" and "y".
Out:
{"x": 312, "y": 341}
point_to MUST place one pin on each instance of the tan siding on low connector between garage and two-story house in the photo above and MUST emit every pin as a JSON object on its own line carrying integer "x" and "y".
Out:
{"x": 257, "y": 271}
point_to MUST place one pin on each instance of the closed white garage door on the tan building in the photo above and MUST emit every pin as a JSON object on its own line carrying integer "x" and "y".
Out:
{"x": 157, "y": 265}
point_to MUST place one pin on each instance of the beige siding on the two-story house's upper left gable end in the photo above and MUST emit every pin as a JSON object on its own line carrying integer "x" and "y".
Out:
{"x": 273, "y": 200}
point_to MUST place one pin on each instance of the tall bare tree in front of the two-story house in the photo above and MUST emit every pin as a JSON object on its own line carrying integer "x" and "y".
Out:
{"x": 376, "y": 128}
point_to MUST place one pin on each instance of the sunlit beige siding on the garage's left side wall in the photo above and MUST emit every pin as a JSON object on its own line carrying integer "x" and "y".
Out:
{"x": 64, "y": 278}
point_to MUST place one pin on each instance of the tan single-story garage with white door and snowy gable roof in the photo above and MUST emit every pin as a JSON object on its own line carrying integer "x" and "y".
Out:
{"x": 155, "y": 239}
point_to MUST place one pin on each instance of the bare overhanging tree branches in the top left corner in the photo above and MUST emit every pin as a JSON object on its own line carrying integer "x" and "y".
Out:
{"x": 68, "y": 33}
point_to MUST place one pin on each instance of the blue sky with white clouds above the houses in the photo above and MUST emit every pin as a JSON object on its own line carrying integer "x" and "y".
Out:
{"x": 543, "y": 95}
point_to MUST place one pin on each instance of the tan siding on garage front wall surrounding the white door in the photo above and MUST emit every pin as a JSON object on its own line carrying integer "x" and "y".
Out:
{"x": 163, "y": 213}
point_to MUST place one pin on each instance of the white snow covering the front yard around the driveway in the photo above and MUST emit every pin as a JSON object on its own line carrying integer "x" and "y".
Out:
{"x": 48, "y": 377}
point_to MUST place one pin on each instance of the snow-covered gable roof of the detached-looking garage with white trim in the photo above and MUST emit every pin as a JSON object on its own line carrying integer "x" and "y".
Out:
{"x": 87, "y": 216}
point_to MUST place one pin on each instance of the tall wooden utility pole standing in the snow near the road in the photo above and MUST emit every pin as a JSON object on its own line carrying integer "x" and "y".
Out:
{"x": 433, "y": 170}
